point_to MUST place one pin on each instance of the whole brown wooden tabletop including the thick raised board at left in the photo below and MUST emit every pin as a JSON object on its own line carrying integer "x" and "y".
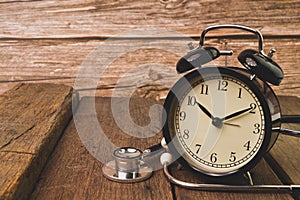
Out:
{"x": 44, "y": 155}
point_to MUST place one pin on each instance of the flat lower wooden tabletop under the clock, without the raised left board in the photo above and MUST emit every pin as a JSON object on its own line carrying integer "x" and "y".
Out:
{"x": 74, "y": 170}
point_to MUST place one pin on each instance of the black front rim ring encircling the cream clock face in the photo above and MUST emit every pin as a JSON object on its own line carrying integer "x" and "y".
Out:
{"x": 196, "y": 75}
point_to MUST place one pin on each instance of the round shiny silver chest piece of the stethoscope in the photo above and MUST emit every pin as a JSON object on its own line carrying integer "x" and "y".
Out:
{"x": 127, "y": 167}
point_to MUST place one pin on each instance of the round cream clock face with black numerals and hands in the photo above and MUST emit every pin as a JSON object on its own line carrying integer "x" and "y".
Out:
{"x": 219, "y": 124}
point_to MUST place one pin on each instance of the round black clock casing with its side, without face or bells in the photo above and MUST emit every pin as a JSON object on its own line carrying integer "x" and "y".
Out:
{"x": 262, "y": 91}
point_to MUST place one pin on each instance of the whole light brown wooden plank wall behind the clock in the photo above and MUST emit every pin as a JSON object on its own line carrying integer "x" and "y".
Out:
{"x": 47, "y": 41}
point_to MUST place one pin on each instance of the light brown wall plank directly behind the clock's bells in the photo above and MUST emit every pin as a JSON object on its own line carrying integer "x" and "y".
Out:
{"x": 139, "y": 63}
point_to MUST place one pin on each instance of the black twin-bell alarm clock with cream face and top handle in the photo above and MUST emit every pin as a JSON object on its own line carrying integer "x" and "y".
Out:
{"x": 223, "y": 120}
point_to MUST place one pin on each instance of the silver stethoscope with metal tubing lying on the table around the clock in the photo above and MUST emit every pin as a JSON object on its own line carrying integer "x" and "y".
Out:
{"x": 129, "y": 166}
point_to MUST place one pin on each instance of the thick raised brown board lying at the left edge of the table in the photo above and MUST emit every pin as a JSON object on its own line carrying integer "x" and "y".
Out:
{"x": 32, "y": 118}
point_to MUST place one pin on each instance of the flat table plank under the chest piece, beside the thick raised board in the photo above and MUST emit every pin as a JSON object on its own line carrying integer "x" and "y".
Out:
{"x": 73, "y": 173}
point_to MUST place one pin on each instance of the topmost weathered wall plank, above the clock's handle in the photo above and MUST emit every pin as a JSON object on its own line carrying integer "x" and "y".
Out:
{"x": 69, "y": 19}
